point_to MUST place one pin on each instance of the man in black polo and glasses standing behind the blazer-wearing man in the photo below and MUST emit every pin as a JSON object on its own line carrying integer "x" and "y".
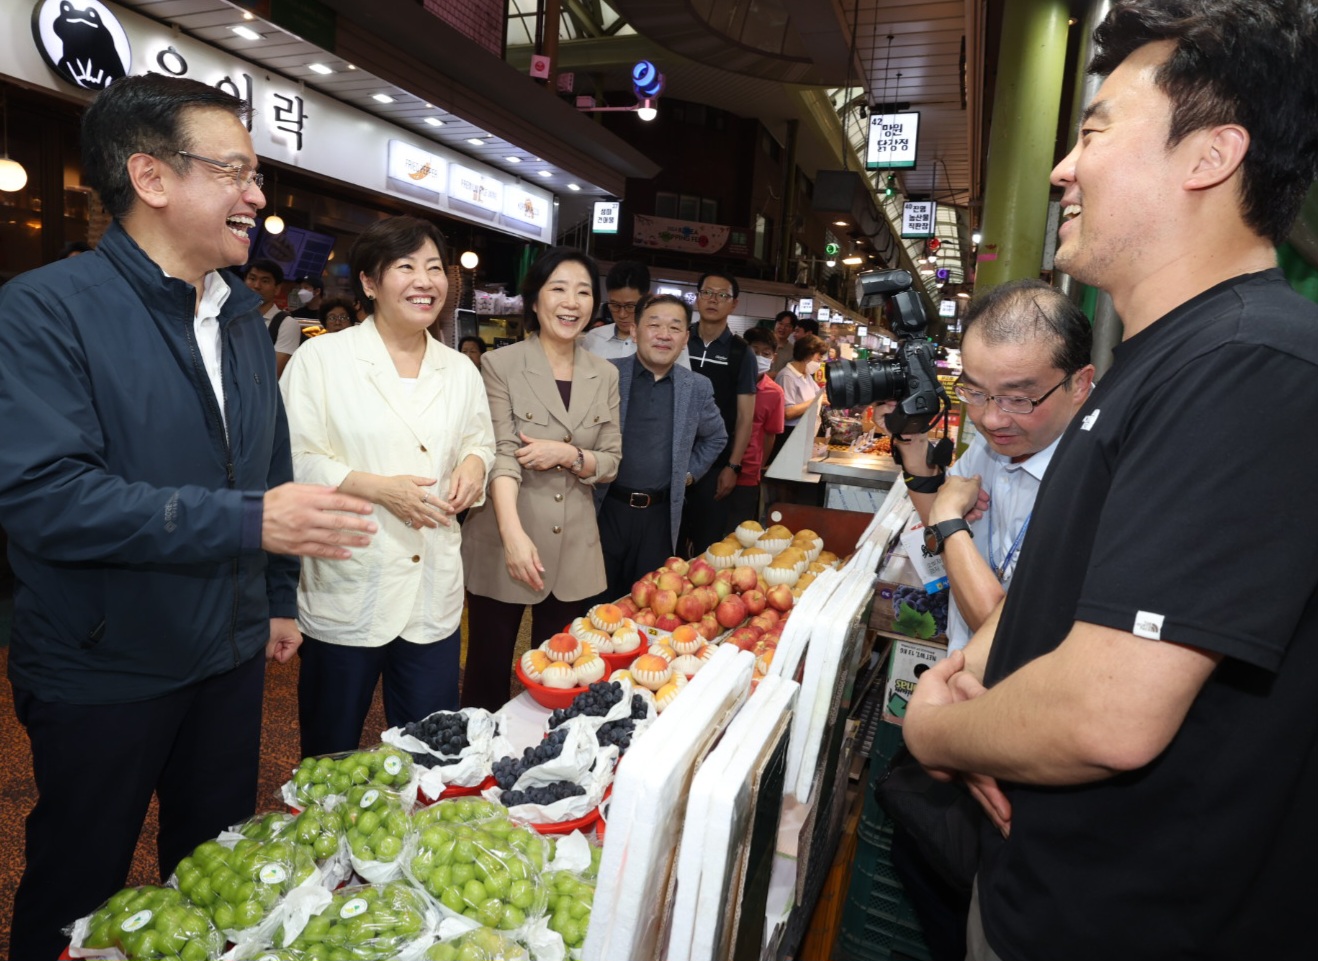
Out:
{"x": 724, "y": 358}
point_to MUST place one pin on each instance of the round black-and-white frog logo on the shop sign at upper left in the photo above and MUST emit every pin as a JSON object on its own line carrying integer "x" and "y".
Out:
{"x": 82, "y": 42}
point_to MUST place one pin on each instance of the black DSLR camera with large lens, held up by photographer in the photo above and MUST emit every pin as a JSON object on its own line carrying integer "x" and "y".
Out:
{"x": 910, "y": 379}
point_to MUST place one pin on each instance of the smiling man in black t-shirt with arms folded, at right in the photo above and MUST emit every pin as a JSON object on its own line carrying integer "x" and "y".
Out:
{"x": 1147, "y": 747}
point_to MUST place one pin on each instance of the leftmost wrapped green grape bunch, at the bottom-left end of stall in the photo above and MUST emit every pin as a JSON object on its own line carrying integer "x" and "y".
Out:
{"x": 154, "y": 923}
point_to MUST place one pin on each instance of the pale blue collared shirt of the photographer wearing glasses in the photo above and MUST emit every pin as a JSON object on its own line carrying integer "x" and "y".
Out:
{"x": 1013, "y": 490}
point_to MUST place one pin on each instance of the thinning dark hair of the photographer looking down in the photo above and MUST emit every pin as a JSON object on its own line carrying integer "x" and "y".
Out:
{"x": 1025, "y": 312}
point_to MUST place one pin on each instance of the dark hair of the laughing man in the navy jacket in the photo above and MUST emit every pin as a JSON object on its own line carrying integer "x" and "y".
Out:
{"x": 143, "y": 115}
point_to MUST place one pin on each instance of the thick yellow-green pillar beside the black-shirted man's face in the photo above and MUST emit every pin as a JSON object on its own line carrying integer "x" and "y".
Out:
{"x": 1023, "y": 139}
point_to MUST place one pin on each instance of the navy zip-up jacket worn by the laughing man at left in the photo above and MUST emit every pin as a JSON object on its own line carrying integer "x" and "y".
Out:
{"x": 134, "y": 519}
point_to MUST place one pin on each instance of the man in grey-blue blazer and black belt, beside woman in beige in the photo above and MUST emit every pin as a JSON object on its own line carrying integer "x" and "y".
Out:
{"x": 672, "y": 436}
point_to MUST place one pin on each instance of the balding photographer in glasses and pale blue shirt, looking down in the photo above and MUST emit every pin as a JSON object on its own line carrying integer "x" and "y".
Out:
{"x": 1026, "y": 372}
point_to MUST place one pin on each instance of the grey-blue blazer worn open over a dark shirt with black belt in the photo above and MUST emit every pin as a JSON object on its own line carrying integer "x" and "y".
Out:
{"x": 699, "y": 434}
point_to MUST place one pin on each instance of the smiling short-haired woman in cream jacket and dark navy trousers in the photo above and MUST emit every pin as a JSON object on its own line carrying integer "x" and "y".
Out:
{"x": 388, "y": 413}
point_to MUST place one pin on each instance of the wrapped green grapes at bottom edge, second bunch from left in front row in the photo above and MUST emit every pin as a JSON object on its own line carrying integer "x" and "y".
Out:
{"x": 368, "y": 923}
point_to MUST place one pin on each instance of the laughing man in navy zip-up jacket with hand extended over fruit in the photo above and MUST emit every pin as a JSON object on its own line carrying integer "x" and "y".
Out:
{"x": 146, "y": 490}
